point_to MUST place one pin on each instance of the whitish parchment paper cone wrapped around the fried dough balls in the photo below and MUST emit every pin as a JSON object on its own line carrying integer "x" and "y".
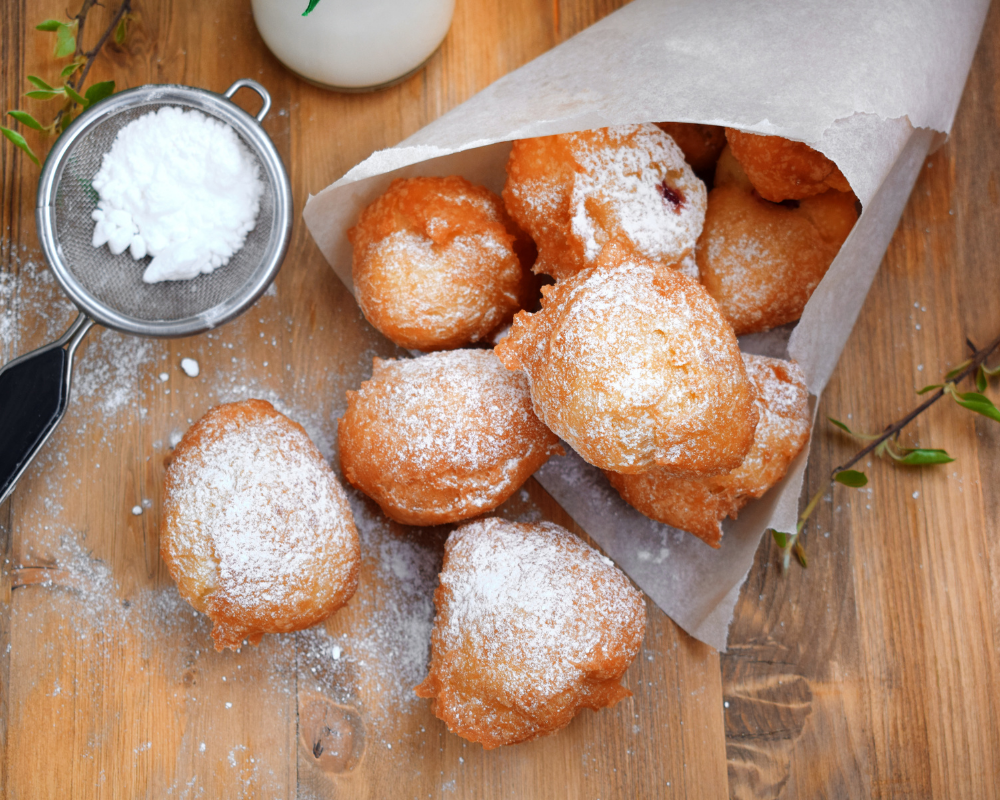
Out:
{"x": 873, "y": 85}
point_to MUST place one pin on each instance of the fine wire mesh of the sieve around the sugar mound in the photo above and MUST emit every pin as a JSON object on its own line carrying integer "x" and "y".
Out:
{"x": 116, "y": 281}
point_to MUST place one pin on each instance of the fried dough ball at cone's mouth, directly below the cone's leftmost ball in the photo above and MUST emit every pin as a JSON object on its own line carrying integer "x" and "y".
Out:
{"x": 443, "y": 437}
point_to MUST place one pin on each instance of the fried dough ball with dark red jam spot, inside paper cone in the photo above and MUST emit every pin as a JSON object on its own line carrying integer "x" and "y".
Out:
{"x": 575, "y": 192}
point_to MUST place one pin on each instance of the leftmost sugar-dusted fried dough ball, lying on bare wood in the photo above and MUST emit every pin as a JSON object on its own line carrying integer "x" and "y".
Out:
{"x": 257, "y": 532}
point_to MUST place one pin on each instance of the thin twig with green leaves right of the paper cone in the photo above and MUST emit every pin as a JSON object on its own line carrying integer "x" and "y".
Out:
{"x": 886, "y": 444}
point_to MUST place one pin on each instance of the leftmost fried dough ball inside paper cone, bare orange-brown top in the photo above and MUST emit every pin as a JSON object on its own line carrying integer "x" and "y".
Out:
{"x": 438, "y": 263}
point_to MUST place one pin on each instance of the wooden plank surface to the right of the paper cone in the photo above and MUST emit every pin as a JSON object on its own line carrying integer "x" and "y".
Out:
{"x": 875, "y": 672}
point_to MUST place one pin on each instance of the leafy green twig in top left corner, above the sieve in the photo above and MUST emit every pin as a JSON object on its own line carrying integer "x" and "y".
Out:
{"x": 69, "y": 88}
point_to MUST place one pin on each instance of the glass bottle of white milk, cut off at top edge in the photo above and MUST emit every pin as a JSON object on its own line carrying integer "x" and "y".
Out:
{"x": 353, "y": 45}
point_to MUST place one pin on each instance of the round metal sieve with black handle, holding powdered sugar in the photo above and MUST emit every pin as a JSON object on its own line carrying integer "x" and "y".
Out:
{"x": 108, "y": 289}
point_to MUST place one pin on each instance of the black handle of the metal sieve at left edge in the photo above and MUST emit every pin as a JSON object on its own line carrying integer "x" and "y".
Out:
{"x": 34, "y": 394}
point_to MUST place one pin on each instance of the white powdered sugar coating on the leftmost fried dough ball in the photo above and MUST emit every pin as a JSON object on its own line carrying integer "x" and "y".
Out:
{"x": 257, "y": 499}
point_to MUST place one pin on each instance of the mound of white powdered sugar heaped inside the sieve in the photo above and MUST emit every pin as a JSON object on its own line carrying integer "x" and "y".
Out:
{"x": 179, "y": 186}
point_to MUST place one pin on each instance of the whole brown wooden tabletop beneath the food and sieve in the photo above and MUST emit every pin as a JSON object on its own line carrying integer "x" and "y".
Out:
{"x": 874, "y": 673}
